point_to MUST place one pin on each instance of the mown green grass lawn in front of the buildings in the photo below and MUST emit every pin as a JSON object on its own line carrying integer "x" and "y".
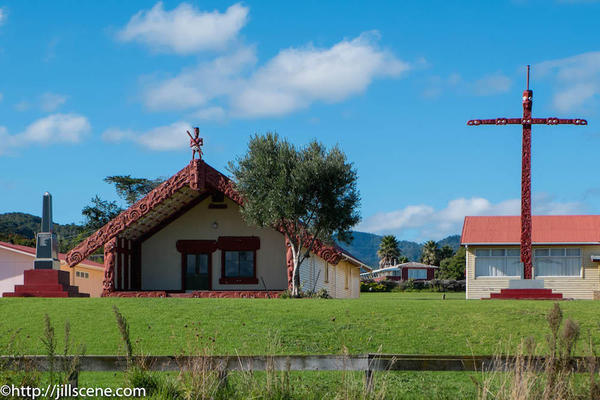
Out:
{"x": 417, "y": 323}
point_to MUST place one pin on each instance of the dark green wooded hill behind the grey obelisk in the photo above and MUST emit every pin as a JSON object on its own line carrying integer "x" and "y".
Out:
{"x": 21, "y": 228}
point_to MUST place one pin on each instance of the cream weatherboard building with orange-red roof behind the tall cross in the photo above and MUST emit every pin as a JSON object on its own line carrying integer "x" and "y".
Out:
{"x": 566, "y": 256}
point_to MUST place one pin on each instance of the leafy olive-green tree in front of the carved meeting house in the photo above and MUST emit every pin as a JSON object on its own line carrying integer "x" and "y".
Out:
{"x": 309, "y": 193}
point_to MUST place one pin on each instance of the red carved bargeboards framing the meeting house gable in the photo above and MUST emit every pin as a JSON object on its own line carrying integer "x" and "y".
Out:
{"x": 199, "y": 176}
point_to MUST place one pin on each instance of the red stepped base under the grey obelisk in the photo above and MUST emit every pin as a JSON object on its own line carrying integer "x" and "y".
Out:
{"x": 46, "y": 283}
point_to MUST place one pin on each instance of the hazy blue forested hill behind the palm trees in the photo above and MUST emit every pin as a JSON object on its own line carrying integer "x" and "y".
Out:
{"x": 364, "y": 246}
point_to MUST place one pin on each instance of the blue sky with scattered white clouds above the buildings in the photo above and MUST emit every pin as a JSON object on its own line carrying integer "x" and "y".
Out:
{"x": 93, "y": 89}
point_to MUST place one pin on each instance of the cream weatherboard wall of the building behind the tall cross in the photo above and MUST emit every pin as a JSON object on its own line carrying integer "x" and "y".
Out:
{"x": 582, "y": 287}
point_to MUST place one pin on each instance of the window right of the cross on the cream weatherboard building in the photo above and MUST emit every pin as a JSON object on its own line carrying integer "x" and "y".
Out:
{"x": 557, "y": 262}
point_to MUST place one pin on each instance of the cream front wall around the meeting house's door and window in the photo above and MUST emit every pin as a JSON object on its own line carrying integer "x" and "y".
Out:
{"x": 161, "y": 262}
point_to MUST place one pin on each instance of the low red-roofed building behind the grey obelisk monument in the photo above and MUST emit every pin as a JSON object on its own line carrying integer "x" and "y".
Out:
{"x": 14, "y": 259}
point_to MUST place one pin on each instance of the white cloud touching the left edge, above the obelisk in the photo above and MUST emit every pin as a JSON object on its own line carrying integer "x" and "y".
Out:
{"x": 53, "y": 129}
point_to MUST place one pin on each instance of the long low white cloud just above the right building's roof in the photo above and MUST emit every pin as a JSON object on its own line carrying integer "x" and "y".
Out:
{"x": 429, "y": 223}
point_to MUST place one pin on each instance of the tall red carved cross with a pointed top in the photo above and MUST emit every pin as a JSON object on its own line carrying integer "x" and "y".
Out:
{"x": 526, "y": 122}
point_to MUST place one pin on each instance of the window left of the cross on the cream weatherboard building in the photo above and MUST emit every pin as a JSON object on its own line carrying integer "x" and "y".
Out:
{"x": 498, "y": 263}
